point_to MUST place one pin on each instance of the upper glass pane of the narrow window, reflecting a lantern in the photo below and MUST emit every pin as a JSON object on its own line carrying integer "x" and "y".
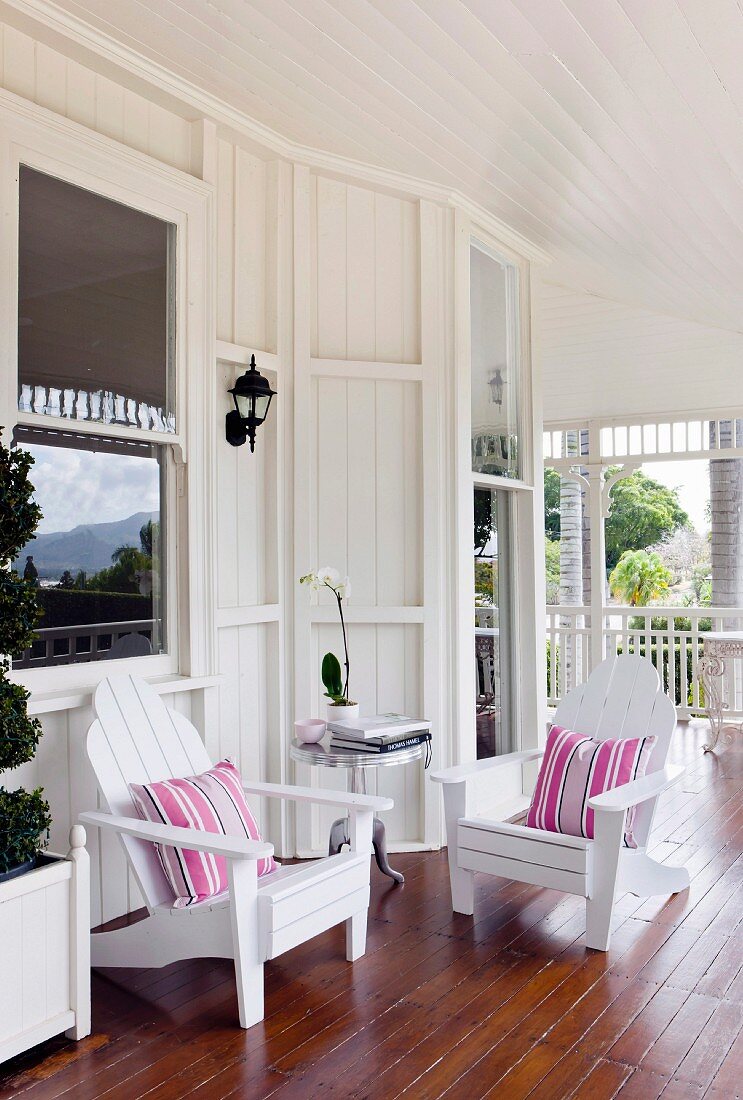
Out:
{"x": 496, "y": 409}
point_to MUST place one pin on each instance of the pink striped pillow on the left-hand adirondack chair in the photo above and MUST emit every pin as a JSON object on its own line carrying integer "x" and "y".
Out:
{"x": 214, "y": 802}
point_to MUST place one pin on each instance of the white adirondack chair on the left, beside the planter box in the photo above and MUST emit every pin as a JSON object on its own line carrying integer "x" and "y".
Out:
{"x": 137, "y": 739}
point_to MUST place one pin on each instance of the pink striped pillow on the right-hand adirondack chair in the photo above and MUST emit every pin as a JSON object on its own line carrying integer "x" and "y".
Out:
{"x": 574, "y": 769}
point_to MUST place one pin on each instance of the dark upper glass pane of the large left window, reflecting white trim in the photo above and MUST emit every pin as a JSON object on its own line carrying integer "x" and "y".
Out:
{"x": 96, "y": 307}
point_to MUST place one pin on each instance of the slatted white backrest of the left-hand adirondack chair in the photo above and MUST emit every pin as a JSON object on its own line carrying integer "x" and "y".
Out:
{"x": 137, "y": 740}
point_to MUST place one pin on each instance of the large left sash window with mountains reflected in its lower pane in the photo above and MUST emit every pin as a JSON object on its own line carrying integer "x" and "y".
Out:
{"x": 96, "y": 400}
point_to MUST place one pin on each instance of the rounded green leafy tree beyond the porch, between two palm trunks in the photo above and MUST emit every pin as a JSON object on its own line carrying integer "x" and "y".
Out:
{"x": 643, "y": 512}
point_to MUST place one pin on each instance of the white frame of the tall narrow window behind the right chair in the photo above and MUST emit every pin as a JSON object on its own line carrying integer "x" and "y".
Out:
{"x": 529, "y": 710}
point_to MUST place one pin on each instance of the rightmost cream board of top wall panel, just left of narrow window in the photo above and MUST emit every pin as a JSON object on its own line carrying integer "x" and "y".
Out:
{"x": 389, "y": 279}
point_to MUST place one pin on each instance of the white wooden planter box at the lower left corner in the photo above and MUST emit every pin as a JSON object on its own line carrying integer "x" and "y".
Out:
{"x": 46, "y": 952}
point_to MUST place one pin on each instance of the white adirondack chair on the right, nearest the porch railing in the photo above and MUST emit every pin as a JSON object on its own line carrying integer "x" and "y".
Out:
{"x": 621, "y": 699}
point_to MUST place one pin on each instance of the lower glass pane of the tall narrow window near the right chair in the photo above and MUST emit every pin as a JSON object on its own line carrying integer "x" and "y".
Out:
{"x": 493, "y": 623}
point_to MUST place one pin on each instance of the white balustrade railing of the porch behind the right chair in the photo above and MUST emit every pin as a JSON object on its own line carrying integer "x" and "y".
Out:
{"x": 672, "y": 637}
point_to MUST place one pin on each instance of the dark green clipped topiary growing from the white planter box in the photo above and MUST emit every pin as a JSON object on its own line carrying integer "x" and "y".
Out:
{"x": 25, "y": 816}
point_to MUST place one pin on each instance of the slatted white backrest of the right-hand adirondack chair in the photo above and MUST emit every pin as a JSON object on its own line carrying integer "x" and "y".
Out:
{"x": 624, "y": 698}
